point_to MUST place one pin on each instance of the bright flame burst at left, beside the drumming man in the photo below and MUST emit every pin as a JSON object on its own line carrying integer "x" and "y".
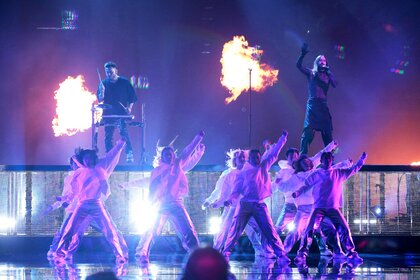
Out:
{"x": 74, "y": 105}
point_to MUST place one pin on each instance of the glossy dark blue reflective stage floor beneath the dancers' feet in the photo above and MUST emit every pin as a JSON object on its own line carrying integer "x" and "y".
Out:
{"x": 375, "y": 266}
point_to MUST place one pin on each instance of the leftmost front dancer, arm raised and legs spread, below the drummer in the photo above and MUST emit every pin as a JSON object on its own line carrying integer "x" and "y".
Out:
{"x": 89, "y": 184}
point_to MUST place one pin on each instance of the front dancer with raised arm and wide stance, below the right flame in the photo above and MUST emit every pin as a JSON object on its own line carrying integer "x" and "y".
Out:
{"x": 254, "y": 185}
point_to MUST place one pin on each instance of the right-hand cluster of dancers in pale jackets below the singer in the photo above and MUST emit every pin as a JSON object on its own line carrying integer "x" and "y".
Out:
{"x": 315, "y": 194}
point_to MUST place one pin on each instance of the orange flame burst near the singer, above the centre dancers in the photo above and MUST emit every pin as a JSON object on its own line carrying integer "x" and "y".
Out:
{"x": 237, "y": 59}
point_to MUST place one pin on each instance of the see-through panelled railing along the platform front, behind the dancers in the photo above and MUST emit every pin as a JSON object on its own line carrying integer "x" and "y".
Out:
{"x": 379, "y": 200}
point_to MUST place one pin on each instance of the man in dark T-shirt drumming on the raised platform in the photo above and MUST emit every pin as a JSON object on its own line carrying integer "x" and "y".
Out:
{"x": 117, "y": 92}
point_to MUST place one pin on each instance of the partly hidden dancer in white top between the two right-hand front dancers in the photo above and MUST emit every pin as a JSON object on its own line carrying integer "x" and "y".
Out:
{"x": 288, "y": 211}
